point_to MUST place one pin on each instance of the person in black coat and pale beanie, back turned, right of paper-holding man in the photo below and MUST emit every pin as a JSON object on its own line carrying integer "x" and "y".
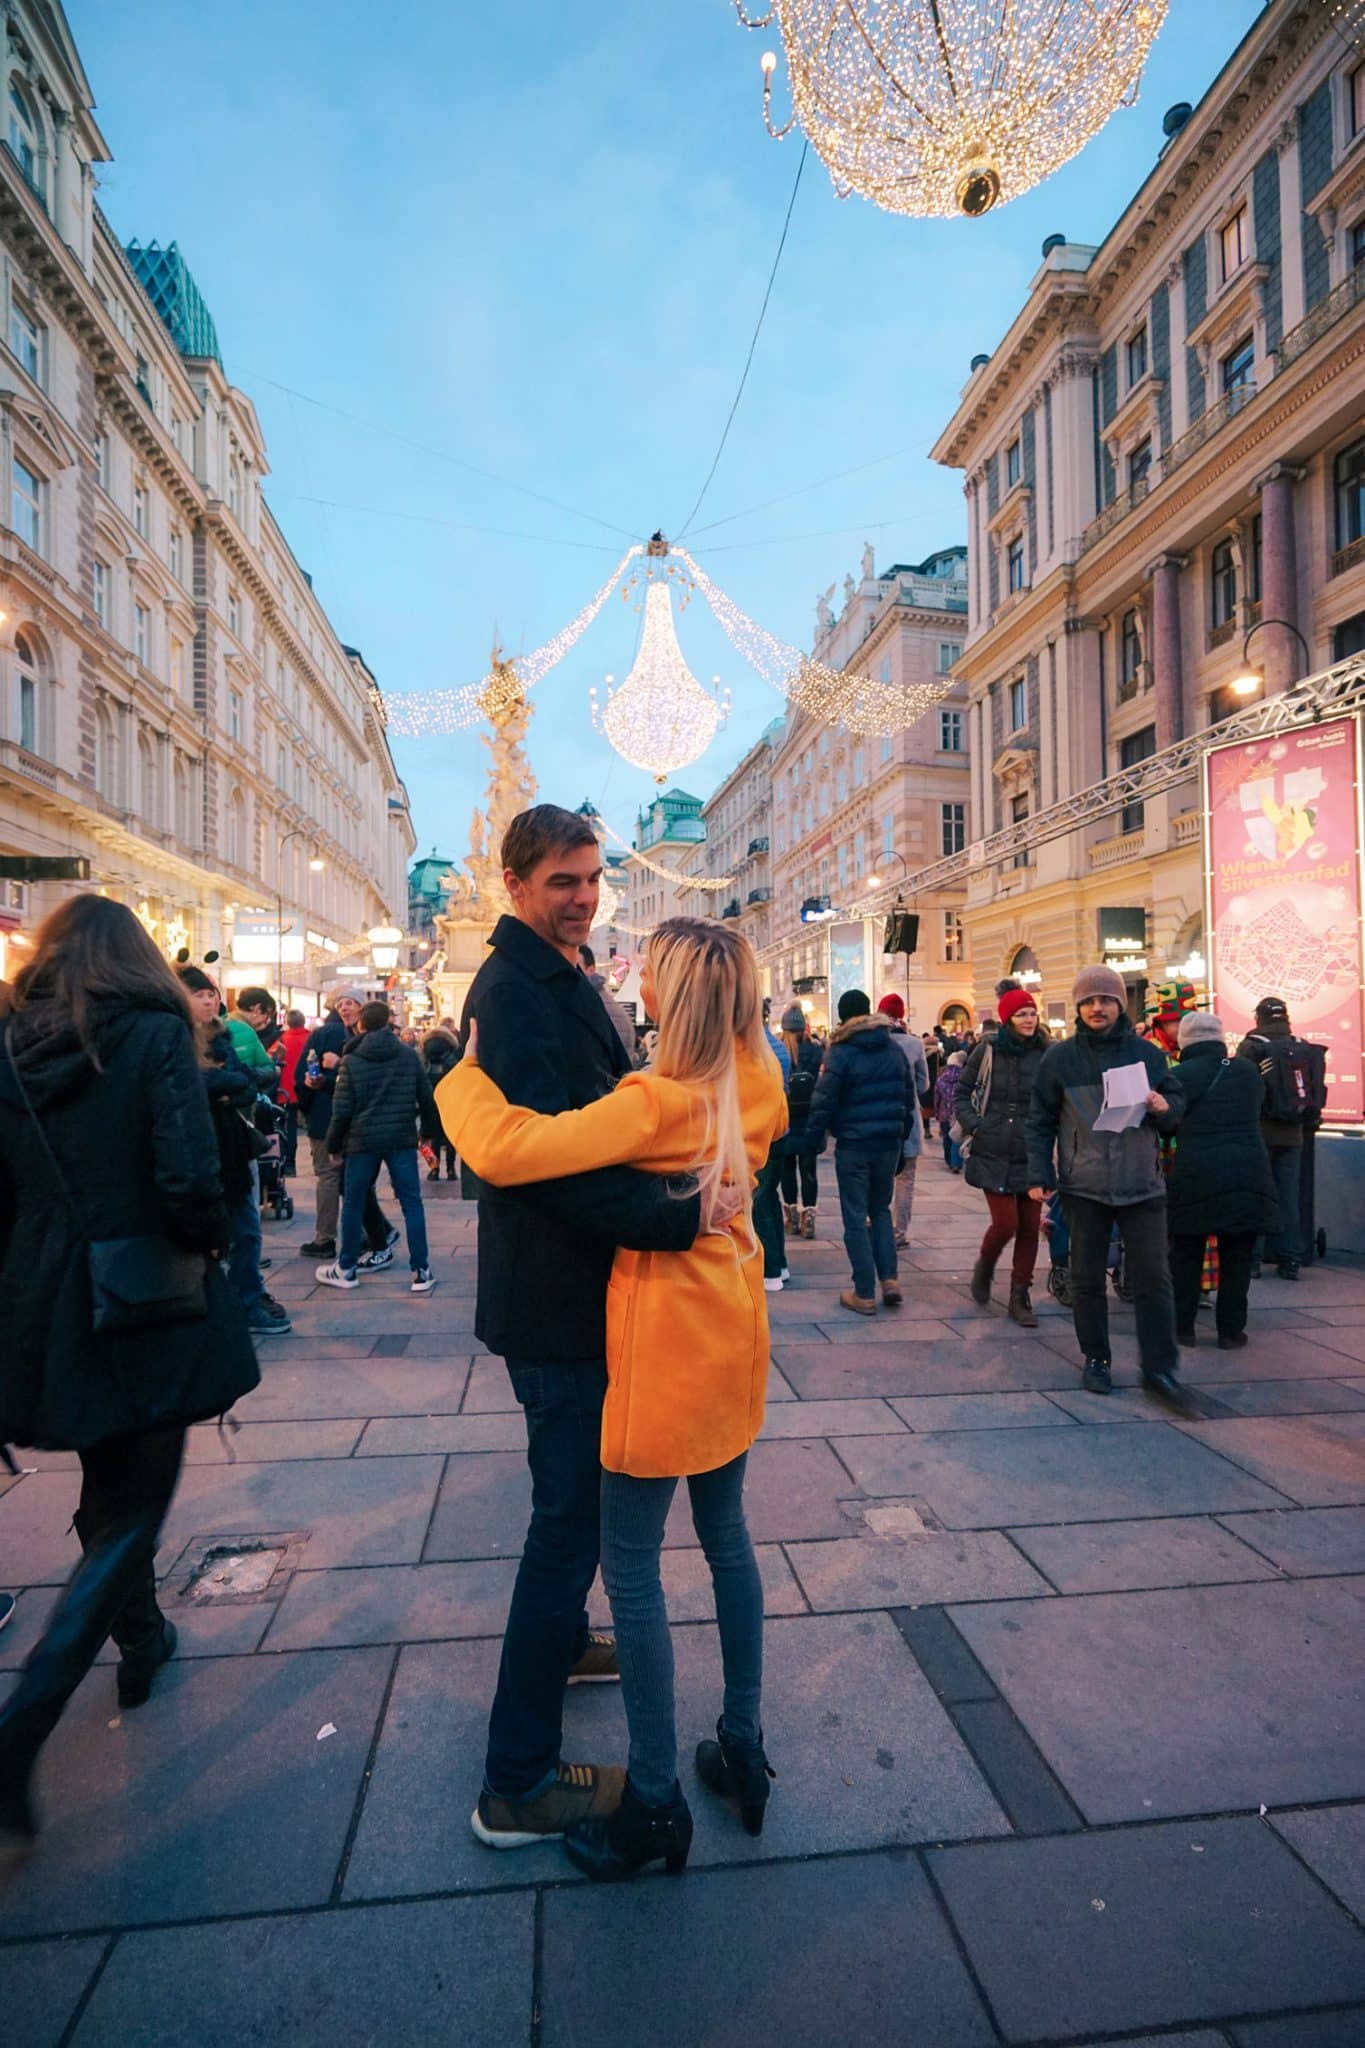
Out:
{"x": 1221, "y": 1181}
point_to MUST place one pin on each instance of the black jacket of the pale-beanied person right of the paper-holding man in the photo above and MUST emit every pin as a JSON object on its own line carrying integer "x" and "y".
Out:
{"x": 1221, "y": 1170}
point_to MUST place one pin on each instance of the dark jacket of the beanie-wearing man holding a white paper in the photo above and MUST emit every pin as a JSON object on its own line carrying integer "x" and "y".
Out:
{"x": 1102, "y": 1166}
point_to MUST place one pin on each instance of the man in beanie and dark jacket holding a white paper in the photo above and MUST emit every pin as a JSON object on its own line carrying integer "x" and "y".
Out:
{"x": 1110, "y": 1177}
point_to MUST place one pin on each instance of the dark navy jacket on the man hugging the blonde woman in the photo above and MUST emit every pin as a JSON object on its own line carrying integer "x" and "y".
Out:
{"x": 545, "y": 1252}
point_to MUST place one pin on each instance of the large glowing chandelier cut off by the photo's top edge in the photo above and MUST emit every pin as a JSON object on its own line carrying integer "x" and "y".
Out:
{"x": 938, "y": 108}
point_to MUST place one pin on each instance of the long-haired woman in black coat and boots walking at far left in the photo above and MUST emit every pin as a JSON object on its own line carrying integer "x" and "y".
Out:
{"x": 105, "y": 1138}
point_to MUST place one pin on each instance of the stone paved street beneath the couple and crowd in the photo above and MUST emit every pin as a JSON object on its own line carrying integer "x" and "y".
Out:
{"x": 1067, "y": 1701}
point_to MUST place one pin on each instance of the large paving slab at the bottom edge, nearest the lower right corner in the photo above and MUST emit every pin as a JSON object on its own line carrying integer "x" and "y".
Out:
{"x": 1155, "y": 1926}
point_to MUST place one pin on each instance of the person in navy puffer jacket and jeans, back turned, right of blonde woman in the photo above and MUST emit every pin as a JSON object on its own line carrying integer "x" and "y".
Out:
{"x": 867, "y": 1101}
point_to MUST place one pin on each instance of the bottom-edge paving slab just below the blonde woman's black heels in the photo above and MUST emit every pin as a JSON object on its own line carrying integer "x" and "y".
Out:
{"x": 848, "y": 1953}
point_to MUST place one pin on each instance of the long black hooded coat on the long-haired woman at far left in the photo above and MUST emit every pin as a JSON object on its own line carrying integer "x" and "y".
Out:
{"x": 138, "y": 1158}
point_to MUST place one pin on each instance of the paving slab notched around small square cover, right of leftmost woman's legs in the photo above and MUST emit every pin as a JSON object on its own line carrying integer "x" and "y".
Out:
{"x": 355, "y": 1510}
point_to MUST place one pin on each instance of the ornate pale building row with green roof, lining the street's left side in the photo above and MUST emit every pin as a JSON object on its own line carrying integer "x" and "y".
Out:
{"x": 175, "y": 703}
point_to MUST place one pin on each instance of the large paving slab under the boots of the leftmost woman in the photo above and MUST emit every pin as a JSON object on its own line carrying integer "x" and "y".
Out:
{"x": 220, "y": 1799}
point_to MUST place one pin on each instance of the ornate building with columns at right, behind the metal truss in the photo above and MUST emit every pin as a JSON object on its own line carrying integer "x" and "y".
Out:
{"x": 1163, "y": 458}
